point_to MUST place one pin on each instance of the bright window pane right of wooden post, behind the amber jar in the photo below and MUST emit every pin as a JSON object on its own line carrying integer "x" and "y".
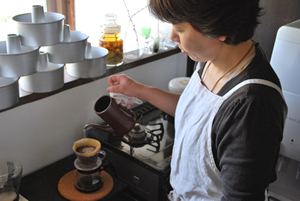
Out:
{"x": 89, "y": 16}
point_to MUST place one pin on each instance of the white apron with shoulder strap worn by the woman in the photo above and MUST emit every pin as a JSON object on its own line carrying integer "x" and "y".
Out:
{"x": 194, "y": 175}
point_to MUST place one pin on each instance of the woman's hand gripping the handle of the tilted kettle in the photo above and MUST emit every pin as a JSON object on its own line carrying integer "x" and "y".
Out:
{"x": 124, "y": 85}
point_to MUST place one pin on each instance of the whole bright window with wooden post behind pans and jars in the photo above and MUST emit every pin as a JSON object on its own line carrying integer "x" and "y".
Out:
{"x": 85, "y": 16}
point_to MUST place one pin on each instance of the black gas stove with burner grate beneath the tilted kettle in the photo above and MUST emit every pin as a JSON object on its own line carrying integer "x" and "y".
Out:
{"x": 141, "y": 158}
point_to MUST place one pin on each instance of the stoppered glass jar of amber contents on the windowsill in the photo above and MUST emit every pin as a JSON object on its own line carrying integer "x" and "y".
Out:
{"x": 111, "y": 40}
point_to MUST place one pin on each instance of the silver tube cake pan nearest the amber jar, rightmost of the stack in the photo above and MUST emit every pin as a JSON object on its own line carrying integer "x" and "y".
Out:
{"x": 94, "y": 64}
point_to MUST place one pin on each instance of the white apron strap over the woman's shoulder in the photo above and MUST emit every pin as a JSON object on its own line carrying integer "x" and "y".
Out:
{"x": 253, "y": 81}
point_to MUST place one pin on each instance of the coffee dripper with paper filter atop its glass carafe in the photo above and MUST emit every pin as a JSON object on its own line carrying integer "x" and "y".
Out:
{"x": 88, "y": 164}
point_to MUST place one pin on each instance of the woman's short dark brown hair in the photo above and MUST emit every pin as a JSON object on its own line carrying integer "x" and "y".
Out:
{"x": 235, "y": 19}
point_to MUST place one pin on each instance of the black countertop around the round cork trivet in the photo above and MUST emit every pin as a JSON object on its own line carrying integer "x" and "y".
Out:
{"x": 43, "y": 184}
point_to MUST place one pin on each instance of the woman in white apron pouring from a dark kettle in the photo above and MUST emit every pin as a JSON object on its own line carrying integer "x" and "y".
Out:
{"x": 230, "y": 118}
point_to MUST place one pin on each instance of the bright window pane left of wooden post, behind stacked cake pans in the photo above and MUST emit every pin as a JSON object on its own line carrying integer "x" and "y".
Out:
{"x": 9, "y": 9}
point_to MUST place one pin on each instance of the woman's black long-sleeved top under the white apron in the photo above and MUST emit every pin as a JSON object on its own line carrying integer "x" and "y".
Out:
{"x": 247, "y": 132}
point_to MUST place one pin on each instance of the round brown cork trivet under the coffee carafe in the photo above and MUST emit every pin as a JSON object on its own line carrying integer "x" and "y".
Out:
{"x": 66, "y": 187}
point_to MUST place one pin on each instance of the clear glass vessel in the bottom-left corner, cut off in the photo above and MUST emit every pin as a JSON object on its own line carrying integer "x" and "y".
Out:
{"x": 10, "y": 179}
